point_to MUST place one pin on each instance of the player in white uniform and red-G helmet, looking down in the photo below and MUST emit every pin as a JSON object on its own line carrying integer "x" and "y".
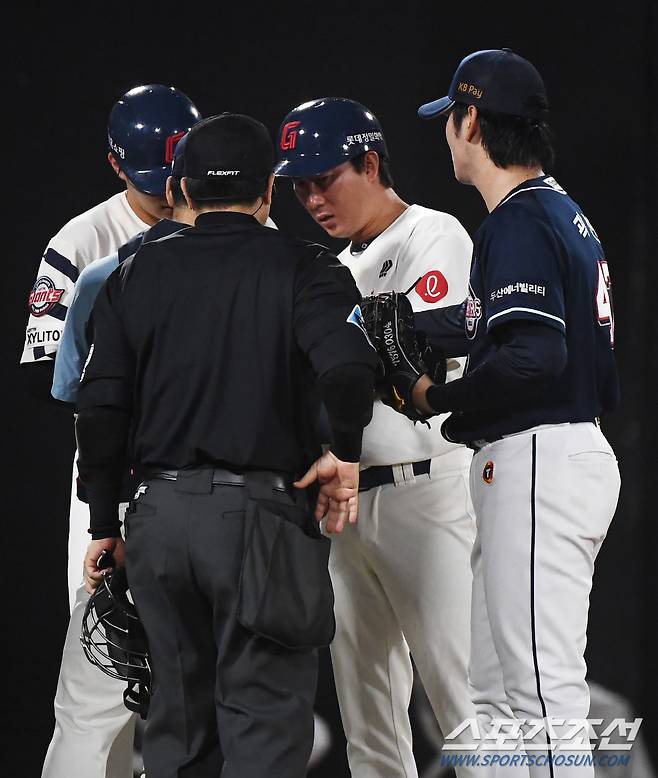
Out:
{"x": 401, "y": 574}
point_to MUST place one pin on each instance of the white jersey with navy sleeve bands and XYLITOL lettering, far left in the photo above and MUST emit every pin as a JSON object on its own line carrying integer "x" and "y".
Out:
{"x": 87, "y": 237}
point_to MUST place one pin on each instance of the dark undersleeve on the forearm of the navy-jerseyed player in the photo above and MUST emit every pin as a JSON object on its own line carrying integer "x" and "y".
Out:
{"x": 528, "y": 355}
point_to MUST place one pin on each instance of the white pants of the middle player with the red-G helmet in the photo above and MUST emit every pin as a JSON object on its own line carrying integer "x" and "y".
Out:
{"x": 402, "y": 582}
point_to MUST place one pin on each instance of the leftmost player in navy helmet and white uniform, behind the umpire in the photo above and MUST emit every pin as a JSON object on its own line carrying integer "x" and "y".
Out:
{"x": 93, "y": 729}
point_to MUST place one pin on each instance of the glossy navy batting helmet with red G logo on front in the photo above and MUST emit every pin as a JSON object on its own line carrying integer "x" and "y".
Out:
{"x": 321, "y": 134}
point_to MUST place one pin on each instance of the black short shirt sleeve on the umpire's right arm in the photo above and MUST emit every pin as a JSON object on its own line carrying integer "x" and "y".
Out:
{"x": 328, "y": 323}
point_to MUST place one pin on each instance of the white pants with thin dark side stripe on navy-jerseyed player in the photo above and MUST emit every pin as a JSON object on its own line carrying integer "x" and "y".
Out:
{"x": 544, "y": 500}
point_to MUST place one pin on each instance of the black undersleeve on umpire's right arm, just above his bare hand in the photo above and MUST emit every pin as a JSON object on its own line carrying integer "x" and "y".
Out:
{"x": 347, "y": 392}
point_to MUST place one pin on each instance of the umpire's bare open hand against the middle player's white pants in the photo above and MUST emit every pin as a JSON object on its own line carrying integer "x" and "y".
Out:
{"x": 338, "y": 499}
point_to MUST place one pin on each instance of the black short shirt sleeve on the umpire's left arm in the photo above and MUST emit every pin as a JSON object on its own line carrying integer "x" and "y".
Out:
{"x": 107, "y": 378}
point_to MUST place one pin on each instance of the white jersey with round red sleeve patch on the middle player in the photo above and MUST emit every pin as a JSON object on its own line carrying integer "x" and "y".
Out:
{"x": 429, "y": 251}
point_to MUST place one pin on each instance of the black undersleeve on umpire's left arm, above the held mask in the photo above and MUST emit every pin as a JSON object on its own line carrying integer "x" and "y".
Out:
{"x": 102, "y": 435}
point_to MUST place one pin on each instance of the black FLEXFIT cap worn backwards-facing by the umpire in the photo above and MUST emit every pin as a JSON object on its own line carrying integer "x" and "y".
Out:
{"x": 227, "y": 155}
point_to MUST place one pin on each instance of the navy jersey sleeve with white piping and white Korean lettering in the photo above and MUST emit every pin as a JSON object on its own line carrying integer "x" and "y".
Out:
{"x": 522, "y": 271}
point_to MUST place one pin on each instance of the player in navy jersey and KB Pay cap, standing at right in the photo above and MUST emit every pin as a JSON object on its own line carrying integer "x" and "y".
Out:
{"x": 538, "y": 330}
